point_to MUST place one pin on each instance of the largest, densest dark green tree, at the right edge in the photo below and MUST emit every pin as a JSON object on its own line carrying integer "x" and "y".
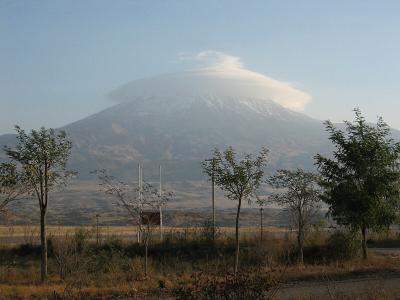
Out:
{"x": 361, "y": 180}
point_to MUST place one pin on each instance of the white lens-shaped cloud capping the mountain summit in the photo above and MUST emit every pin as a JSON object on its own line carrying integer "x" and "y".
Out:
{"x": 218, "y": 75}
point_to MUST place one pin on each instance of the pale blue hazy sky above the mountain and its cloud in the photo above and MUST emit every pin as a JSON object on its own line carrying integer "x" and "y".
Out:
{"x": 58, "y": 59}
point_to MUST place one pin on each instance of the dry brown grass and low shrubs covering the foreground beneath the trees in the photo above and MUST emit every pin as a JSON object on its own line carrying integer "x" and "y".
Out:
{"x": 187, "y": 265}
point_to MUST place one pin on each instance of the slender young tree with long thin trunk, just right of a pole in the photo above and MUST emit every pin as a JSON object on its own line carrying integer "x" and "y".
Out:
{"x": 239, "y": 178}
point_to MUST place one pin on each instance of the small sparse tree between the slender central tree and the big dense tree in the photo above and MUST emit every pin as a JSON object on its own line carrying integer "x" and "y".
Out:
{"x": 300, "y": 195}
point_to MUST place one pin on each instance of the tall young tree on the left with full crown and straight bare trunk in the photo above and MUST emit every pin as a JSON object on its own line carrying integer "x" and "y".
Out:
{"x": 41, "y": 156}
